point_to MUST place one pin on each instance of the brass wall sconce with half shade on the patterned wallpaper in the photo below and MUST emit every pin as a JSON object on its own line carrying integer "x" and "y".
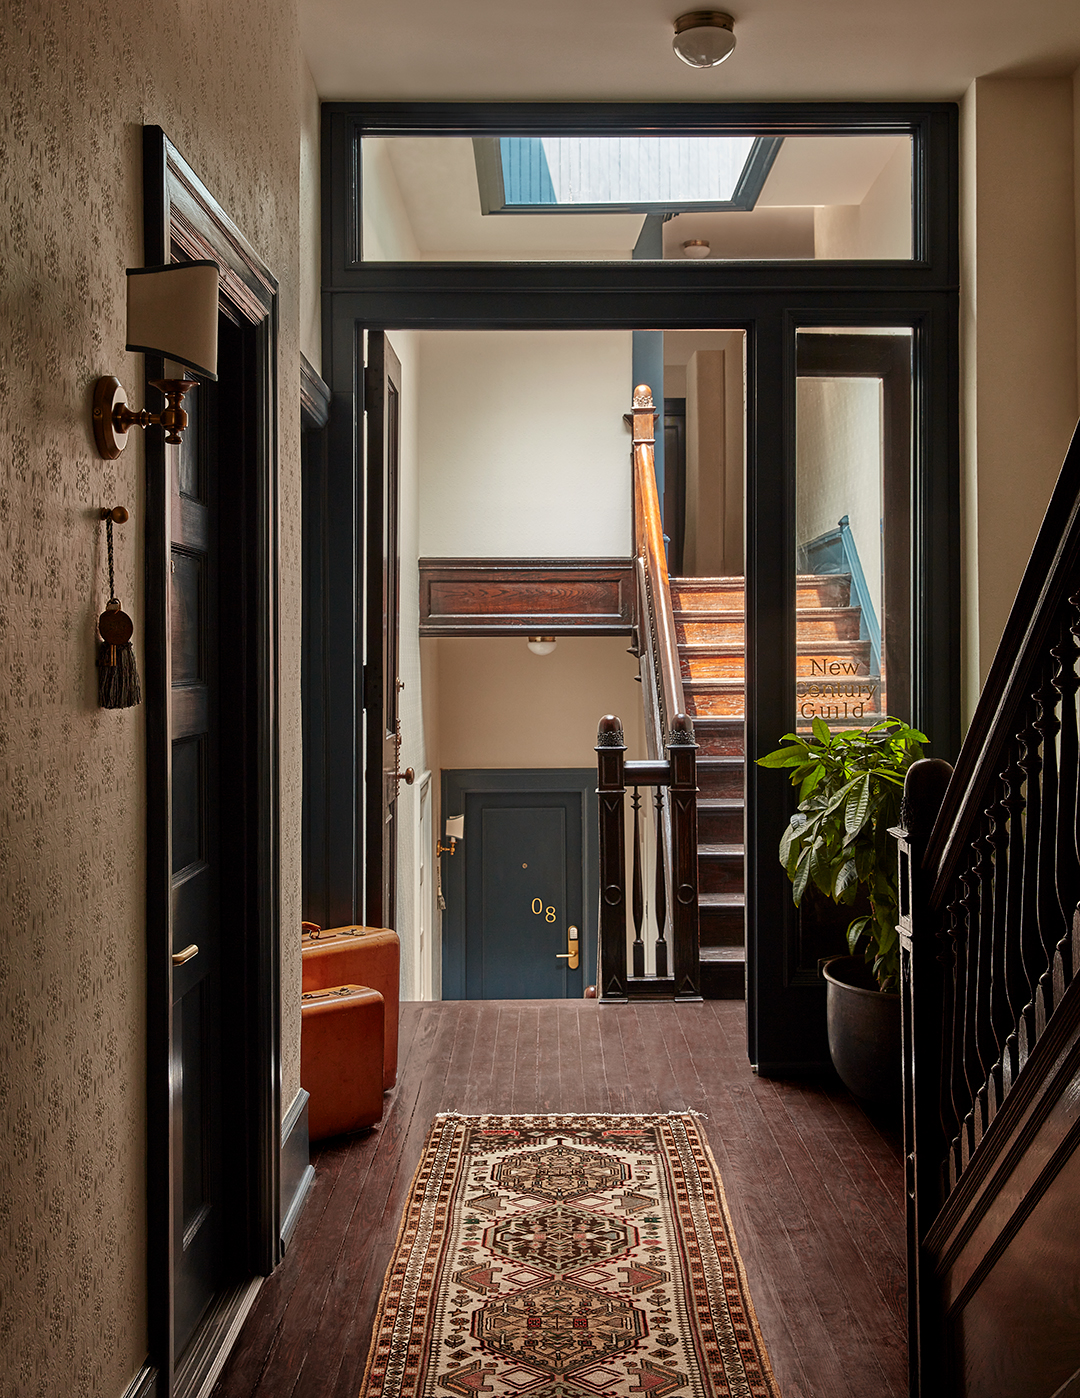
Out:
{"x": 171, "y": 312}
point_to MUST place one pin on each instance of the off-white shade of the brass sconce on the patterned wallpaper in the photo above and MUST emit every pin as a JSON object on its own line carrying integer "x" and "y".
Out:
{"x": 174, "y": 312}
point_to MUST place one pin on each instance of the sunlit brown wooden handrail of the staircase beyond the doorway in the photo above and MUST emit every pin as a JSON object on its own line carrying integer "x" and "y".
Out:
{"x": 656, "y": 619}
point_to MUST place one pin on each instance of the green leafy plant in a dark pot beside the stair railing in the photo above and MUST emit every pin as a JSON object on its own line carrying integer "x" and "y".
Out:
{"x": 852, "y": 784}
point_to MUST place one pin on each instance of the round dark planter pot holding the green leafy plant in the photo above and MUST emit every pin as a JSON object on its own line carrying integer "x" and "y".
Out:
{"x": 864, "y": 1032}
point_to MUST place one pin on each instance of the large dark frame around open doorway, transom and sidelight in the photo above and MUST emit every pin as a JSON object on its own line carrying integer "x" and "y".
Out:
{"x": 769, "y": 301}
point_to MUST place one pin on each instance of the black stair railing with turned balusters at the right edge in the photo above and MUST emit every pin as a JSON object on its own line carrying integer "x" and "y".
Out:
{"x": 990, "y": 862}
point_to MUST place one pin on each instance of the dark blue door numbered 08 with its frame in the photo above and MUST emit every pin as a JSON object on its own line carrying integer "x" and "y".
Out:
{"x": 519, "y": 887}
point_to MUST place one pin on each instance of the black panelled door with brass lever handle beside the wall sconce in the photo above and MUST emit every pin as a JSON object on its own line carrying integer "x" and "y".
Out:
{"x": 200, "y": 1211}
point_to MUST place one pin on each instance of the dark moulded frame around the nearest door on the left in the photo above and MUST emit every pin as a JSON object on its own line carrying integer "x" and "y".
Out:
{"x": 182, "y": 220}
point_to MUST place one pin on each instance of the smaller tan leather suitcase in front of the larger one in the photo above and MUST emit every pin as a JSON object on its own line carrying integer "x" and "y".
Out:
{"x": 342, "y": 1059}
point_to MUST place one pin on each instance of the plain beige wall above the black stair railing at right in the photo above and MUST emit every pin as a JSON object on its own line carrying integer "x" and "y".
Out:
{"x": 1019, "y": 336}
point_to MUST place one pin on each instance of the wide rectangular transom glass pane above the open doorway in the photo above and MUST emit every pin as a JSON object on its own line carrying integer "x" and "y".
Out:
{"x": 655, "y": 198}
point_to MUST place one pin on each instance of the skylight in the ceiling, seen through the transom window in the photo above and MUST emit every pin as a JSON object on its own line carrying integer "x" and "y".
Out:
{"x": 621, "y": 174}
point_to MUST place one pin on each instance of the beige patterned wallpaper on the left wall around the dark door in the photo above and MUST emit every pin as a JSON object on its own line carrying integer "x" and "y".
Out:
{"x": 79, "y": 83}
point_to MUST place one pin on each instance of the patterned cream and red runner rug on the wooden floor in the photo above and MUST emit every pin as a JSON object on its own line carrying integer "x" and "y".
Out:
{"x": 567, "y": 1258}
